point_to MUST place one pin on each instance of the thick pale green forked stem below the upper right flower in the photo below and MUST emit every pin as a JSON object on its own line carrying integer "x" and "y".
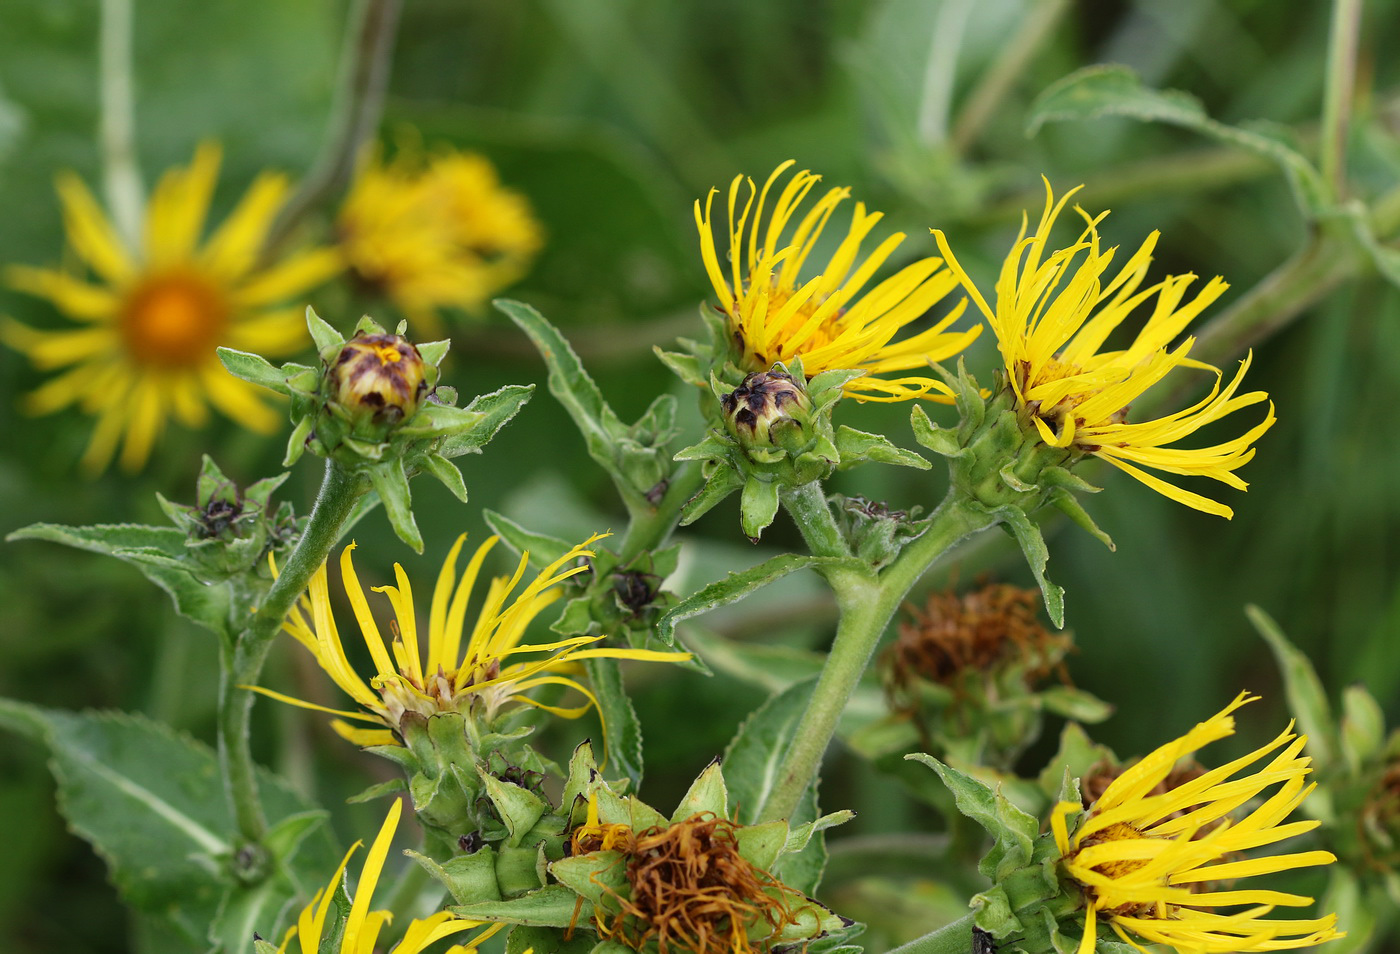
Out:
{"x": 866, "y": 604}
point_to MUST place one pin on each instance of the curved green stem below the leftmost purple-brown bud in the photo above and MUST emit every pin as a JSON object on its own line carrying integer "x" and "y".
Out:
{"x": 243, "y": 662}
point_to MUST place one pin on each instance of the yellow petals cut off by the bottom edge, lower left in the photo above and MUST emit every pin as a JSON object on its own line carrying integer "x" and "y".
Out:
{"x": 363, "y": 927}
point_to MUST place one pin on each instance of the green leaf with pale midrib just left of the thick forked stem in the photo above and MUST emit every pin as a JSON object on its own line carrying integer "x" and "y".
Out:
{"x": 757, "y": 752}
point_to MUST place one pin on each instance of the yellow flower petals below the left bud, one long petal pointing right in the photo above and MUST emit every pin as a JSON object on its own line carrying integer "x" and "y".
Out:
{"x": 481, "y": 679}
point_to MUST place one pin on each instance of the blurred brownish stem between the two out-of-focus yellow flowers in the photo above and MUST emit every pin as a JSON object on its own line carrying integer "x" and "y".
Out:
{"x": 365, "y": 74}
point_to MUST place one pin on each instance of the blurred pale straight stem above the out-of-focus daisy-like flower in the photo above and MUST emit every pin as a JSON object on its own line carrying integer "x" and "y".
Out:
{"x": 121, "y": 176}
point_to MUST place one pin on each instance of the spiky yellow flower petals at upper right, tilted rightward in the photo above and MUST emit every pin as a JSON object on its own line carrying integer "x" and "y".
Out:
{"x": 1052, "y": 320}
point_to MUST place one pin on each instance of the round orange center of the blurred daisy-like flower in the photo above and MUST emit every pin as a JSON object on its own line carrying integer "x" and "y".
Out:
{"x": 174, "y": 320}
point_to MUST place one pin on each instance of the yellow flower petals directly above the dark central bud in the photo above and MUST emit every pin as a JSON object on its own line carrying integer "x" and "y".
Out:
{"x": 772, "y": 317}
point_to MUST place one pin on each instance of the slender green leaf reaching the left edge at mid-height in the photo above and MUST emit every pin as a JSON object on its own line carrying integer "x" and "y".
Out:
{"x": 156, "y": 553}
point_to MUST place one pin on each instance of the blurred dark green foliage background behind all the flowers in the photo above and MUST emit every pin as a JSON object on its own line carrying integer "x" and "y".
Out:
{"x": 612, "y": 117}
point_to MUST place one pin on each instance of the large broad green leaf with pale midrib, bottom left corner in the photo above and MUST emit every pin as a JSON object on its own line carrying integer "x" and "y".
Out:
{"x": 152, "y": 805}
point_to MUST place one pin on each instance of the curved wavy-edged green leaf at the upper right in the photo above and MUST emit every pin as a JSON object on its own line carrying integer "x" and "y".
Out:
{"x": 1109, "y": 90}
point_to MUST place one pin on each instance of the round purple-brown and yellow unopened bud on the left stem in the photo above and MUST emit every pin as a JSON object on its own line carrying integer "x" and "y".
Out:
{"x": 379, "y": 379}
